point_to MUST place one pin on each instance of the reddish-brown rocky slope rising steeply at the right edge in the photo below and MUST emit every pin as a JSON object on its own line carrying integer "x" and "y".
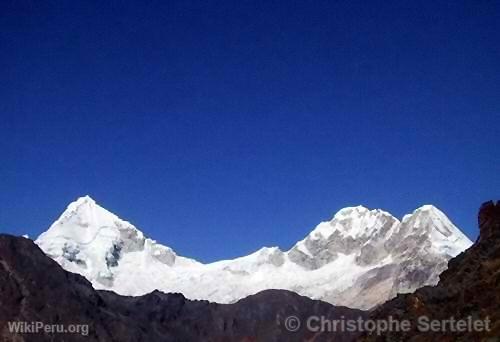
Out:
{"x": 469, "y": 287}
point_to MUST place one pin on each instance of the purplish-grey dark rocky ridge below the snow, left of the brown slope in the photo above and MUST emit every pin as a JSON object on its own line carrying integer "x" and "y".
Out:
{"x": 35, "y": 288}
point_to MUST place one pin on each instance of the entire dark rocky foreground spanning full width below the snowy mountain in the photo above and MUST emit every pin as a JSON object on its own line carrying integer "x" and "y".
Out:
{"x": 33, "y": 287}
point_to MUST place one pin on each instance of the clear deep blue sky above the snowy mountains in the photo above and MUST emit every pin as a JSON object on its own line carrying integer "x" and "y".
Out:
{"x": 218, "y": 127}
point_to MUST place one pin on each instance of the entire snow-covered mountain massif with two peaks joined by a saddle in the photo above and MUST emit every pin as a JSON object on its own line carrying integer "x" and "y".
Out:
{"x": 359, "y": 259}
